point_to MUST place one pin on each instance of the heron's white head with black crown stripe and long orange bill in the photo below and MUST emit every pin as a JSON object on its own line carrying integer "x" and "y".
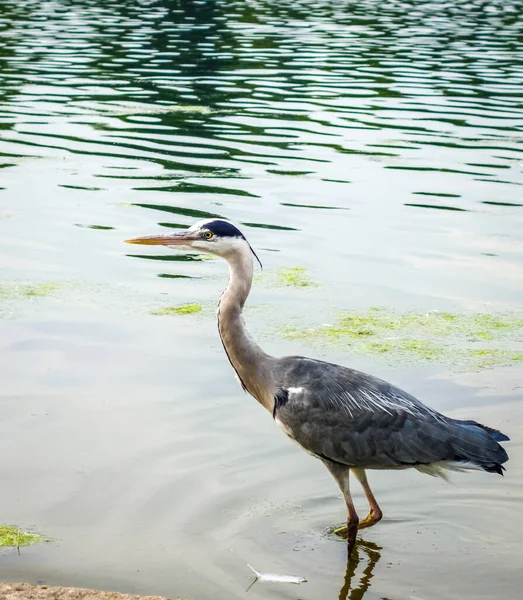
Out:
{"x": 213, "y": 236}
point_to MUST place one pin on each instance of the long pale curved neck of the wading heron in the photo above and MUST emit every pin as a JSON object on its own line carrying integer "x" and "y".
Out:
{"x": 249, "y": 361}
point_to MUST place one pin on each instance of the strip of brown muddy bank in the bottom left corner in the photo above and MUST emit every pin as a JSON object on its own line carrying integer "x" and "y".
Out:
{"x": 26, "y": 591}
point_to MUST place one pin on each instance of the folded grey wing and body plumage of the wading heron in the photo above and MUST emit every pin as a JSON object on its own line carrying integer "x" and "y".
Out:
{"x": 347, "y": 417}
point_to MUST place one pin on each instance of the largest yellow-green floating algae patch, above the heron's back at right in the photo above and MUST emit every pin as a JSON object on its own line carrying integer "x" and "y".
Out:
{"x": 477, "y": 340}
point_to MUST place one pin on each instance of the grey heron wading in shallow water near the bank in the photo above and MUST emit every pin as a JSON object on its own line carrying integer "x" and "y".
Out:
{"x": 349, "y": 420}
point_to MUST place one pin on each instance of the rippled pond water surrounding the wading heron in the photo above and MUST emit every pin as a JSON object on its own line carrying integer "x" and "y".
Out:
{"x": 377, "y": 145}
